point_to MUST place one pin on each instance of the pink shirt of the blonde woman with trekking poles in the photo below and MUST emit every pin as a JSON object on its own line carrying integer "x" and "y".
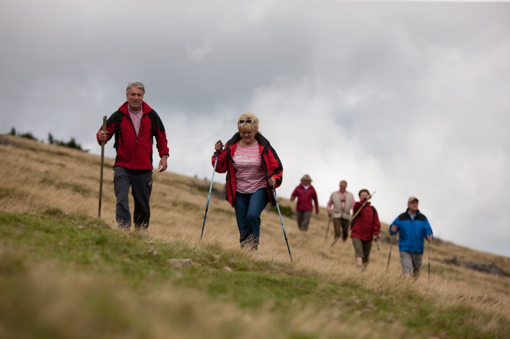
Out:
{"x": 250, "y": 175}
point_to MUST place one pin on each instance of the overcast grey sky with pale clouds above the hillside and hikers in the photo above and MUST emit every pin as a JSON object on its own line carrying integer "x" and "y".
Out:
{"x": 402, "y": 98}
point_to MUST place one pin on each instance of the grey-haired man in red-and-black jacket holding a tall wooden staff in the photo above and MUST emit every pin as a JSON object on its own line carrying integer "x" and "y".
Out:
{"x": 134, "y": 125}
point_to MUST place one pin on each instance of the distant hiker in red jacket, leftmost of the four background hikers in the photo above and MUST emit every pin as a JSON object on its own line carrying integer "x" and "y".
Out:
{"x": 305, "y": 193}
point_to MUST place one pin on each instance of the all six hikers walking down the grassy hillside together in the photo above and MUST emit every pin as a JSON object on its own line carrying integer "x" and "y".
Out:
{"x": 253, "y": 172}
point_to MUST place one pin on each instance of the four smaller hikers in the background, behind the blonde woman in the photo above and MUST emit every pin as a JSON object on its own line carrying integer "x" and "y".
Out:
{"x": 362, "y": 220}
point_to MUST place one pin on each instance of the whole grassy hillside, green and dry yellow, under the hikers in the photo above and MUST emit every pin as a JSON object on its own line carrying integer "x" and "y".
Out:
{"x": 66, "y": 274}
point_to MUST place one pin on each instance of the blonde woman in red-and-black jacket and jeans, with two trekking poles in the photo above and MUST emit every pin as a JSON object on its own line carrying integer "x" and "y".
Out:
{"x": 253, "y": 170}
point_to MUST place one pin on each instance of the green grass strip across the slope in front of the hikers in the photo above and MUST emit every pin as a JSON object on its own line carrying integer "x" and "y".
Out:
{"x": 77, "y": 243}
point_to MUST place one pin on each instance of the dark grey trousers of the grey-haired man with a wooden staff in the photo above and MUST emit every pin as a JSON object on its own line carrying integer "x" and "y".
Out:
{"x": 141, "y": 187}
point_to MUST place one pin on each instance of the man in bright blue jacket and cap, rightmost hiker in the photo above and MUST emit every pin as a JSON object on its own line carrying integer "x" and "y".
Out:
{"x": 413, "y": 227}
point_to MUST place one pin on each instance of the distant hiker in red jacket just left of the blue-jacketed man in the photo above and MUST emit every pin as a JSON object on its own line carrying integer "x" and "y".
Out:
{"x": 365, "y": 229}
